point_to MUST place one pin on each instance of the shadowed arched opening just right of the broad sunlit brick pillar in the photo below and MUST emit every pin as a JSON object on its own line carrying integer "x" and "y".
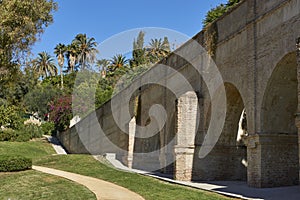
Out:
{"x": 228, "y": 159}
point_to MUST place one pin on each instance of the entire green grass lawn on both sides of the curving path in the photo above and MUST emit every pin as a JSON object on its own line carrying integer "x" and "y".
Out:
{"x": 35, "y": 185}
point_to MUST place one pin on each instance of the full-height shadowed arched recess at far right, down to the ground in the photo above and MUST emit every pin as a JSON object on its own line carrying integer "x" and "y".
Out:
{"x": 278, "y": 138}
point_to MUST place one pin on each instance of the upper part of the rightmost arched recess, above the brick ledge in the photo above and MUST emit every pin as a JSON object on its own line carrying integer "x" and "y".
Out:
{"x": 280, "y": 98}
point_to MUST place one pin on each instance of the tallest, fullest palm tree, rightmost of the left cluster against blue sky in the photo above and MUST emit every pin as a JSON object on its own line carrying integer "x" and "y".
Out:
{"x": 86, "y": 49}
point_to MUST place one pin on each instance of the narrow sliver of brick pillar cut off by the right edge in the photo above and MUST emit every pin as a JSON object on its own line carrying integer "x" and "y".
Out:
{"x": 297, "y": 120}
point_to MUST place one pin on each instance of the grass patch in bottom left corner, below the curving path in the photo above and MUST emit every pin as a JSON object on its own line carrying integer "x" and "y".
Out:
{"x": 35, "y": 185}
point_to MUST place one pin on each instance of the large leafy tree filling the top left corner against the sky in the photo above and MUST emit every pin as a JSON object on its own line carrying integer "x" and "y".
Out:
{"x": 21, "y": 22}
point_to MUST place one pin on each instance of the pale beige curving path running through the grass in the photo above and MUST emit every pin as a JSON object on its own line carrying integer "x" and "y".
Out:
{"x": 102, "y": 189}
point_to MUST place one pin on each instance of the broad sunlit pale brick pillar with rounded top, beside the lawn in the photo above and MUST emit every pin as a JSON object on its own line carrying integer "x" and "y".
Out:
{"x": 185, "y": 136}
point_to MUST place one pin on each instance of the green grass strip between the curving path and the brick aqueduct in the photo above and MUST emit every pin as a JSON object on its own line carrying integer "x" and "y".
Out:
{"x": 149, "y": 188}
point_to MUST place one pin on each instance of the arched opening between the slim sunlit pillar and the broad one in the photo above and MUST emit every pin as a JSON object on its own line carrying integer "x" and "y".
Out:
{"x": 154, "y": 139}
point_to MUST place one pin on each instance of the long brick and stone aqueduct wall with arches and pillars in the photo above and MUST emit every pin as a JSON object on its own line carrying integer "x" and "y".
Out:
{"x": 254, "y": 48}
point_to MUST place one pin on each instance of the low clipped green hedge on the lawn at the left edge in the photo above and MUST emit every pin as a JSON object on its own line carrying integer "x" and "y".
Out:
{"x": 14, "y": 163}
